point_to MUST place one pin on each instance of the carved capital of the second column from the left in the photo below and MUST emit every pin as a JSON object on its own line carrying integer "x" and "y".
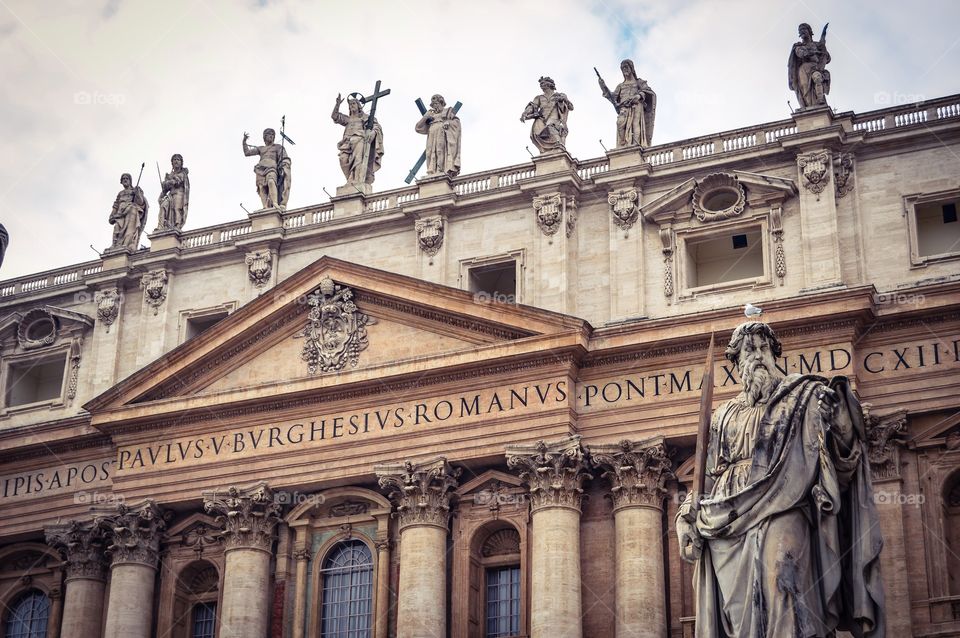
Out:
{"x": 134, "y": 532}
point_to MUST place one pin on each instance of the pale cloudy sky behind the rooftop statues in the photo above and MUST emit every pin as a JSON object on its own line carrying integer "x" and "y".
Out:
{"x": 91, "y": 90}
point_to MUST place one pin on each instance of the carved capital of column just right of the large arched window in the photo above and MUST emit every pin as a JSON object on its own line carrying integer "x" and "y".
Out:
{"x": 420, "y": 490}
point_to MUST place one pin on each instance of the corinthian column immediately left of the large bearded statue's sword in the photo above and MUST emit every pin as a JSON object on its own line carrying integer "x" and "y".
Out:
{"x": 637, "y": 473}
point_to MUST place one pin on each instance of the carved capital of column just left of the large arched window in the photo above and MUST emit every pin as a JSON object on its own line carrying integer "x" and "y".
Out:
{"x": 247, "y": 515}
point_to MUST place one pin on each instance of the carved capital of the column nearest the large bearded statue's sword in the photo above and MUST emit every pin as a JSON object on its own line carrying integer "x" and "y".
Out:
{"x": 637, "y": 471}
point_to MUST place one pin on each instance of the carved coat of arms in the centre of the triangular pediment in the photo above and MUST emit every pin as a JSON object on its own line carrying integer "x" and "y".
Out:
{"x": 336, "y": 330}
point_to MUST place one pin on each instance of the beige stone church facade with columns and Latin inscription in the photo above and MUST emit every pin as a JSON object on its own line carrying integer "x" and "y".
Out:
{"x": 224, "y": 421}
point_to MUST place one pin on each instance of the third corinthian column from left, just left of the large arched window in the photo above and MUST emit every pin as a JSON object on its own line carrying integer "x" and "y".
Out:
{"x": 249, "y": 517}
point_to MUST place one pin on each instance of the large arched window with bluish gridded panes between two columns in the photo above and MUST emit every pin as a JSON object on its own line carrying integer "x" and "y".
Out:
{"x": 347, "y": 575}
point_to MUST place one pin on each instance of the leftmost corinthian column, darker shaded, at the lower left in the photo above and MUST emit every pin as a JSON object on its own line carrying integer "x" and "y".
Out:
{"x": 81, "y": 543}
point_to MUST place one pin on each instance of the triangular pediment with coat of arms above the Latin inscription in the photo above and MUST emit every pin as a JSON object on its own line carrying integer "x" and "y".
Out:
{"x": 335, "y": 323}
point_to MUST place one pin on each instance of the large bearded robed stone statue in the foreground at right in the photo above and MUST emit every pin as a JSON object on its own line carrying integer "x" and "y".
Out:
{"x": 786, "y": 540}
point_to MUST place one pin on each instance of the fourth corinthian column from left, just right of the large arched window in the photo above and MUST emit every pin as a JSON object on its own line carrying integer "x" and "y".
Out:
{"x": 422, "y": 494}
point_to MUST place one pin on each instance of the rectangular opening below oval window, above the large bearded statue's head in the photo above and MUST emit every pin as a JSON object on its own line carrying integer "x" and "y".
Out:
{"x": 724, "y": 258}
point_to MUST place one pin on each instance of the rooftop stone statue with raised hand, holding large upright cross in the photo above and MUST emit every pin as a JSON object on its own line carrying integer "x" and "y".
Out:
{"x": 361, "y": 147}
